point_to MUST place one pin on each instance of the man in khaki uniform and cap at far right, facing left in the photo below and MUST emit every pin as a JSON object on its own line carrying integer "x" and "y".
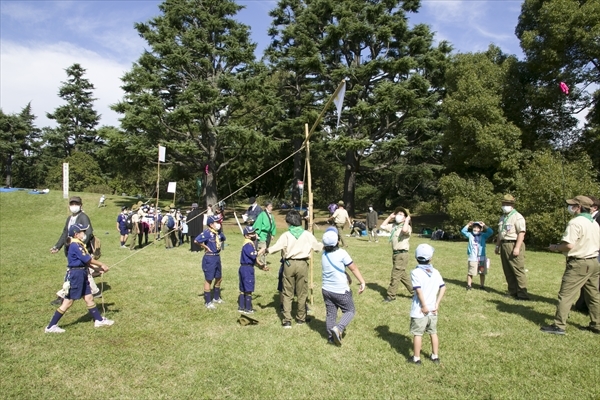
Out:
{"x": 580, "y": 243}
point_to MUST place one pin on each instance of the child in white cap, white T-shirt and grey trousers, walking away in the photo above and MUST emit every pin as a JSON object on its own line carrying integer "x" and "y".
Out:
{"x": 336, "y": 285}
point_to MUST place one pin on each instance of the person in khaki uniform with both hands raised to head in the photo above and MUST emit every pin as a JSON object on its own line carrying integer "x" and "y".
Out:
{"x": 400, "y": 231}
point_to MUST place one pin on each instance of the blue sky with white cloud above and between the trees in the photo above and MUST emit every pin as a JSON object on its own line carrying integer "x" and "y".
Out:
{"x": 40, "y": 39}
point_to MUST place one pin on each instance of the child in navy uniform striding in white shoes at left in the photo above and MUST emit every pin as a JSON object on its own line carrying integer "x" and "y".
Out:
{"x": 78, "y": 262}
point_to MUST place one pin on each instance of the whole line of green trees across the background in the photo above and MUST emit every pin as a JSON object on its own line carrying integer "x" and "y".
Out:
{"x": 421, "y": 126}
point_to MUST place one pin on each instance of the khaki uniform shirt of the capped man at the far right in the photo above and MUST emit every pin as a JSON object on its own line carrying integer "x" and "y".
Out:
{"x": 584, "y": 235}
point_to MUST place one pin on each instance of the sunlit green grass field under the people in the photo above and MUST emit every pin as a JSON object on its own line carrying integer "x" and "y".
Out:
{"x": 166, "y": 345}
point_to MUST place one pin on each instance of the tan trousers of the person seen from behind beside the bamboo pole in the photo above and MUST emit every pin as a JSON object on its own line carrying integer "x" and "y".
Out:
{"x": 295, "y": 280}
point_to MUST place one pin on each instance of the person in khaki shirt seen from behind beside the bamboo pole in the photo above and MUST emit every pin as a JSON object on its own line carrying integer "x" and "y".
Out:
{"x": 297, "y": 245}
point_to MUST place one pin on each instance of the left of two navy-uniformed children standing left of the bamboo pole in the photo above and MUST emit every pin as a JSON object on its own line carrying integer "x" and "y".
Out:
{"x": 211, "y": 240}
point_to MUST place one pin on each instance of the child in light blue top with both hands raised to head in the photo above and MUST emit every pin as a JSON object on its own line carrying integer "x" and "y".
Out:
{"x": 477, "y": 260}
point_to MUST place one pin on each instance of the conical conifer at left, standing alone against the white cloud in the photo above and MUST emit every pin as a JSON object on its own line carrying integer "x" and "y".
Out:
{"x": 77, "y": 119}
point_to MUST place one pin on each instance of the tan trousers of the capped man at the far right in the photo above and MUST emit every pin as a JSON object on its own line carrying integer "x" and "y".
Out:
{"x": 579, "y": 273}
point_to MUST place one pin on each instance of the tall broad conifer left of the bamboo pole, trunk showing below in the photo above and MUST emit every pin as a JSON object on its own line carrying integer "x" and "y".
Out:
{"x": 193, "y": 90}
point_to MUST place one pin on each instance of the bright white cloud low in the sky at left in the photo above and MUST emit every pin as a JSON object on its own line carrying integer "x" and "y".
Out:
{"x": 34, "y": 72}
